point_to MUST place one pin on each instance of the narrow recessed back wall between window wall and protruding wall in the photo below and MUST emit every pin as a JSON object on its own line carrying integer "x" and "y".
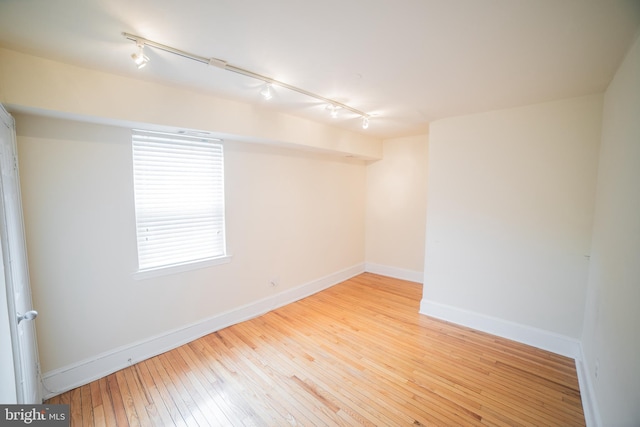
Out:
{"x": 396, "y": 208}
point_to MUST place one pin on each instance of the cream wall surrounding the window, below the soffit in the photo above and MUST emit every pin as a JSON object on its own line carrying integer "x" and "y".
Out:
{"x": 293, "y": 215}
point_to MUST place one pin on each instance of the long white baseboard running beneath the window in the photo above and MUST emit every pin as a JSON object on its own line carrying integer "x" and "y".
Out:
{"x": 80, "y": 373}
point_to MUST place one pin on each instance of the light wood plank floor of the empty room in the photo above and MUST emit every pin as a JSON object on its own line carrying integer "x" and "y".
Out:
{"x": 356, "y": 354}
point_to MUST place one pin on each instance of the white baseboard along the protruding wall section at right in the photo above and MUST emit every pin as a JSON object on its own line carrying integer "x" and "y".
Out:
{"x": 539, "y": 338}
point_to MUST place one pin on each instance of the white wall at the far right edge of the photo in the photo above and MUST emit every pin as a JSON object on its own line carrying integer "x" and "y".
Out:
{"x": 611, "y": 336}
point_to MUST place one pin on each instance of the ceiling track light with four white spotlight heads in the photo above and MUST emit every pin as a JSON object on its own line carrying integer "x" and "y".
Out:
{"x": 267, "y": 91}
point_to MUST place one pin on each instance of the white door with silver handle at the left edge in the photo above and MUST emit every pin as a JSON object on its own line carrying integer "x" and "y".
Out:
{"x": 16, "y": 273}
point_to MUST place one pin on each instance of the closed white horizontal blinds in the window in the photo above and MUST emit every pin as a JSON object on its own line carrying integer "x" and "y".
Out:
{"x": 179, "y": 198}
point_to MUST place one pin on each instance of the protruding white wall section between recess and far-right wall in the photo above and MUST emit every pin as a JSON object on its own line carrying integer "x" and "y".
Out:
{"x": 509, "y": 216}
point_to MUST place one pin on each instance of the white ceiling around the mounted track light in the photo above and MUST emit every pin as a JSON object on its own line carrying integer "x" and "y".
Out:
{"x": 406, "y": 62}
